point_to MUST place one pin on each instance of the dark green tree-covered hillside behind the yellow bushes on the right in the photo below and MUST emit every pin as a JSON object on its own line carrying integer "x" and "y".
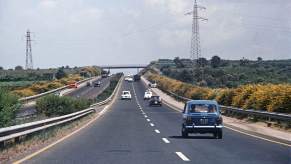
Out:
{"x": 218, "y": 72}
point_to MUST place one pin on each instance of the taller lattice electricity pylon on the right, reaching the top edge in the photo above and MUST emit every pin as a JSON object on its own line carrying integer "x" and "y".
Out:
{"x": 195, "y": 51}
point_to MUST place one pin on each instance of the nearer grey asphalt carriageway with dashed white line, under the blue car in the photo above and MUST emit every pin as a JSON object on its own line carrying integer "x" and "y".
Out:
{"x": 131, "y": 132}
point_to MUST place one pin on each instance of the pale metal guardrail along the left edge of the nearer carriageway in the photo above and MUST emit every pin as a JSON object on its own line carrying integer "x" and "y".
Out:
{"x": 17, "y": 131}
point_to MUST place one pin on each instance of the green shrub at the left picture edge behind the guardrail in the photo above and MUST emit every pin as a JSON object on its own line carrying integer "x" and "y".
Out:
{"x": 9, "y": 104}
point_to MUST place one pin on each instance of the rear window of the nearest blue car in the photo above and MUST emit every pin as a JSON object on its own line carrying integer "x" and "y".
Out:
{"x": 202, "y": 108}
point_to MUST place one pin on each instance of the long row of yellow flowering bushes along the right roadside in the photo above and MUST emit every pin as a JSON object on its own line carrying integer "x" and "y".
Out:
{"x": 270, "y": 97}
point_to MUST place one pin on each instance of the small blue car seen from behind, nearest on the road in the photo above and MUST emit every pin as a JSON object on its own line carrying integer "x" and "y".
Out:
{"x": 202, "y": 116}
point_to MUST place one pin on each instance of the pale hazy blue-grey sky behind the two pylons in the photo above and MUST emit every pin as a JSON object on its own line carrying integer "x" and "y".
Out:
{"x": 95, "y": 32}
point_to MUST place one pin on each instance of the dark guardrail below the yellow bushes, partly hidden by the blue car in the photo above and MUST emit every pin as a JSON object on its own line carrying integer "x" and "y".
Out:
{"x": 256, "y": 114}
